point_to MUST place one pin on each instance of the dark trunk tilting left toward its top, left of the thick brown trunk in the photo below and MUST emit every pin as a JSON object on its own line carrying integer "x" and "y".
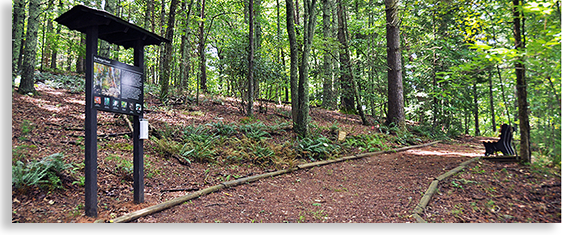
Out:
{"x": 346, "y": 83}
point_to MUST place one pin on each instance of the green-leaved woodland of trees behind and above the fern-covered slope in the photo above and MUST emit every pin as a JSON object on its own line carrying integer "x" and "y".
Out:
{"x": 456, "y": 65}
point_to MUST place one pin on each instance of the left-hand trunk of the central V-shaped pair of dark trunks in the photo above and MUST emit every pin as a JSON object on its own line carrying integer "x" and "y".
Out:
{"x": 293, "y": 53}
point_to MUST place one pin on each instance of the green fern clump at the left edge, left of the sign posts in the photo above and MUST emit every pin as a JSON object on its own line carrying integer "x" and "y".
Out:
{"x": 39, "y": 172}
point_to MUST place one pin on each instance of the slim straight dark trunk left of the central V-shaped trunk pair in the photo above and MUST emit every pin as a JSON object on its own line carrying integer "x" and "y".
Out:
{"x": 250, "y": 57}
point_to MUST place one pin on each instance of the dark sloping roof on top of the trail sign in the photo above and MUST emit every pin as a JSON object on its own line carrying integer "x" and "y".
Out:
{"x": 110, "y": 28}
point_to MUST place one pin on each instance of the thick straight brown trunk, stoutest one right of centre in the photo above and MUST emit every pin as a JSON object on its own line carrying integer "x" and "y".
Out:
{"x": 394, "y": 59}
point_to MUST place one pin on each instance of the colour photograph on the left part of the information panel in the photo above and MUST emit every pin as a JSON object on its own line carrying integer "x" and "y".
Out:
{"x": 107, "y": 80}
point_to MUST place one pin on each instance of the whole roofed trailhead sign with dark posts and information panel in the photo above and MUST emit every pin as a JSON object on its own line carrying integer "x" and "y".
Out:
{"x": 111, "y": 86}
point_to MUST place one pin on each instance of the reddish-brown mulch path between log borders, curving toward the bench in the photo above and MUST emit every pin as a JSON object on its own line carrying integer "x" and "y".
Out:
{"x": 382, "y": 188}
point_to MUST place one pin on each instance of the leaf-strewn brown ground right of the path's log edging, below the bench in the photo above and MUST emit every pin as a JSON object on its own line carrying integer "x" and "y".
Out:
{"x": 497, "y": 193}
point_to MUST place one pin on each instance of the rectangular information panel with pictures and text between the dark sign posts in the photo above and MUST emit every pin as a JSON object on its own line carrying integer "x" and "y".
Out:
{"x": 118, "y": 87}
